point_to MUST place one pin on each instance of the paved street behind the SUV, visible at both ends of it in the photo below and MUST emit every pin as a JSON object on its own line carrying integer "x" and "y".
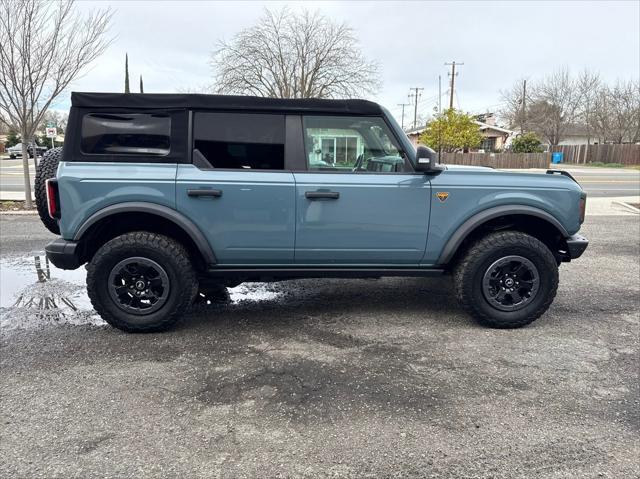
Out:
{"x": 604, "y": 182}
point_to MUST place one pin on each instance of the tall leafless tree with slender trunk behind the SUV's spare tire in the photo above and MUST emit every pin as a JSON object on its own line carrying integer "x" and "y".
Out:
{"x": 43, "y": 47}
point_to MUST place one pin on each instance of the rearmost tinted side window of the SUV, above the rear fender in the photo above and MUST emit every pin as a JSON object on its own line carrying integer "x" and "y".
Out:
{"x": 126, "y": 134}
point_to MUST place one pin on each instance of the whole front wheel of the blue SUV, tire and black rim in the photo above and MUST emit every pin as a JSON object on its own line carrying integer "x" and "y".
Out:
{"x": 507, "y": 279}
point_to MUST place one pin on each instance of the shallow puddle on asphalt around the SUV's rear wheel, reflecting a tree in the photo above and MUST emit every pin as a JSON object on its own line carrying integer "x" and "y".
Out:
{"x": 33, "y": 292}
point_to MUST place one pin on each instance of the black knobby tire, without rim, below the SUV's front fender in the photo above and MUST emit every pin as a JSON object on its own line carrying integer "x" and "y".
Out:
{"x": 469, "y": 271}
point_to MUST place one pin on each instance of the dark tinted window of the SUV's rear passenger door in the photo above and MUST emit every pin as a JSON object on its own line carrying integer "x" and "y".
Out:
{"x": 240, "y": 140}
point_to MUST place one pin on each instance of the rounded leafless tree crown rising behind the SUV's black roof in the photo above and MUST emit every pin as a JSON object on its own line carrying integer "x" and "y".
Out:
{"x": 294, "y": 55}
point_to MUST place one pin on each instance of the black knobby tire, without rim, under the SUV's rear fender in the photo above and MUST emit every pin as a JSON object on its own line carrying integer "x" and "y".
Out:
{"x": 169, "y": 254}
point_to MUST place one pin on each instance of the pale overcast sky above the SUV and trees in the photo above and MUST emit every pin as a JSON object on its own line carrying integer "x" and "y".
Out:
{"x": 169, "y": 44}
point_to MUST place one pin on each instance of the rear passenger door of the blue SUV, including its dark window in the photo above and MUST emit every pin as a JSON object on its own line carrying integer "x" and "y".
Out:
{"x": 237, "y": 189}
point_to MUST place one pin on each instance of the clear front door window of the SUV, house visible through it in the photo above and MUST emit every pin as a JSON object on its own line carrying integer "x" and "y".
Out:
{"x": 340, "y": 143}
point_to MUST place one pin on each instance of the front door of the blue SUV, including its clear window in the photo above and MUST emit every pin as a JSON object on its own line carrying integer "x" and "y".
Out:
{"x": 367, "y": 207}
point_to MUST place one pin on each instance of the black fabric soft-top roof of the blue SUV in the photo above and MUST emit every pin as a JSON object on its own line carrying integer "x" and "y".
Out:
{"x": 221, "y": 102}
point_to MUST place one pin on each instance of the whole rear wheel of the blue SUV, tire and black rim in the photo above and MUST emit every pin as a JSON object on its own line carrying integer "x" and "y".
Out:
{"x": 141, "y": 282}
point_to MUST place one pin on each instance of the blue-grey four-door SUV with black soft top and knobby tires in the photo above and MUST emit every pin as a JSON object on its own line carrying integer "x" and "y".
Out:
{"x": 165, "y": 195}
